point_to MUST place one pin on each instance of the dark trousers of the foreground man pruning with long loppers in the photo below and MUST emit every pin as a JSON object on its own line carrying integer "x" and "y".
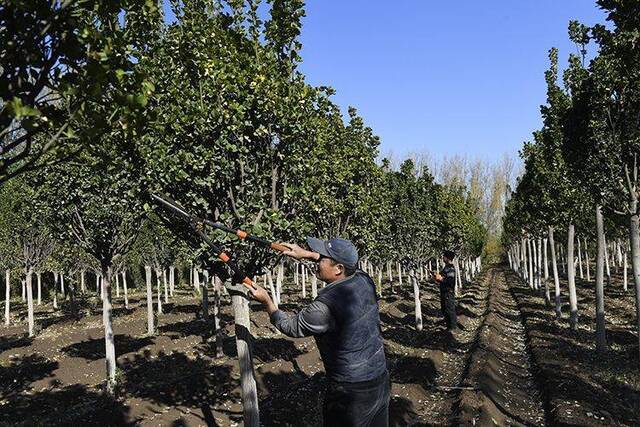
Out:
{"x": 359, "y": 404}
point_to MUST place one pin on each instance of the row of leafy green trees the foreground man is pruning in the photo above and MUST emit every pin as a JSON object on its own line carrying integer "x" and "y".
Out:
{"x": 105, "y": 104}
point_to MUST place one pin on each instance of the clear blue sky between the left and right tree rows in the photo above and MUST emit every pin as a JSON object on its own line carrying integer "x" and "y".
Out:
{"x": 462, "y": 76}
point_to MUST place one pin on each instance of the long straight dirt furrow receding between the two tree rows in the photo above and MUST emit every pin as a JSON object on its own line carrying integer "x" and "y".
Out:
{"x": 499, "y": 385}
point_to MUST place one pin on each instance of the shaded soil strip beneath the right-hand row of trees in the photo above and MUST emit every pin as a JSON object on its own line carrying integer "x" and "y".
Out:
{"x": 583, "y": 387}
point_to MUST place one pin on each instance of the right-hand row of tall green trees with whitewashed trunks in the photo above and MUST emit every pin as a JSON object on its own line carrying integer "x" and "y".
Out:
{"x": 581, "y": 169}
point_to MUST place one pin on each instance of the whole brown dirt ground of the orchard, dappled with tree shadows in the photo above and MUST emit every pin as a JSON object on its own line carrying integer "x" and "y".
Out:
{"x": 512, "y": 363}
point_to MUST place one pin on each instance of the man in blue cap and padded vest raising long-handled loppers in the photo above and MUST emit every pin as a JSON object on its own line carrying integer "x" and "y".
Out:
{"x": 345, "y": 323}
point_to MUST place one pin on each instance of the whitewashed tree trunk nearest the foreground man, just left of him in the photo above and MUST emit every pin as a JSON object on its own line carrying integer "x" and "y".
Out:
{"x": 244, "y": 343}
